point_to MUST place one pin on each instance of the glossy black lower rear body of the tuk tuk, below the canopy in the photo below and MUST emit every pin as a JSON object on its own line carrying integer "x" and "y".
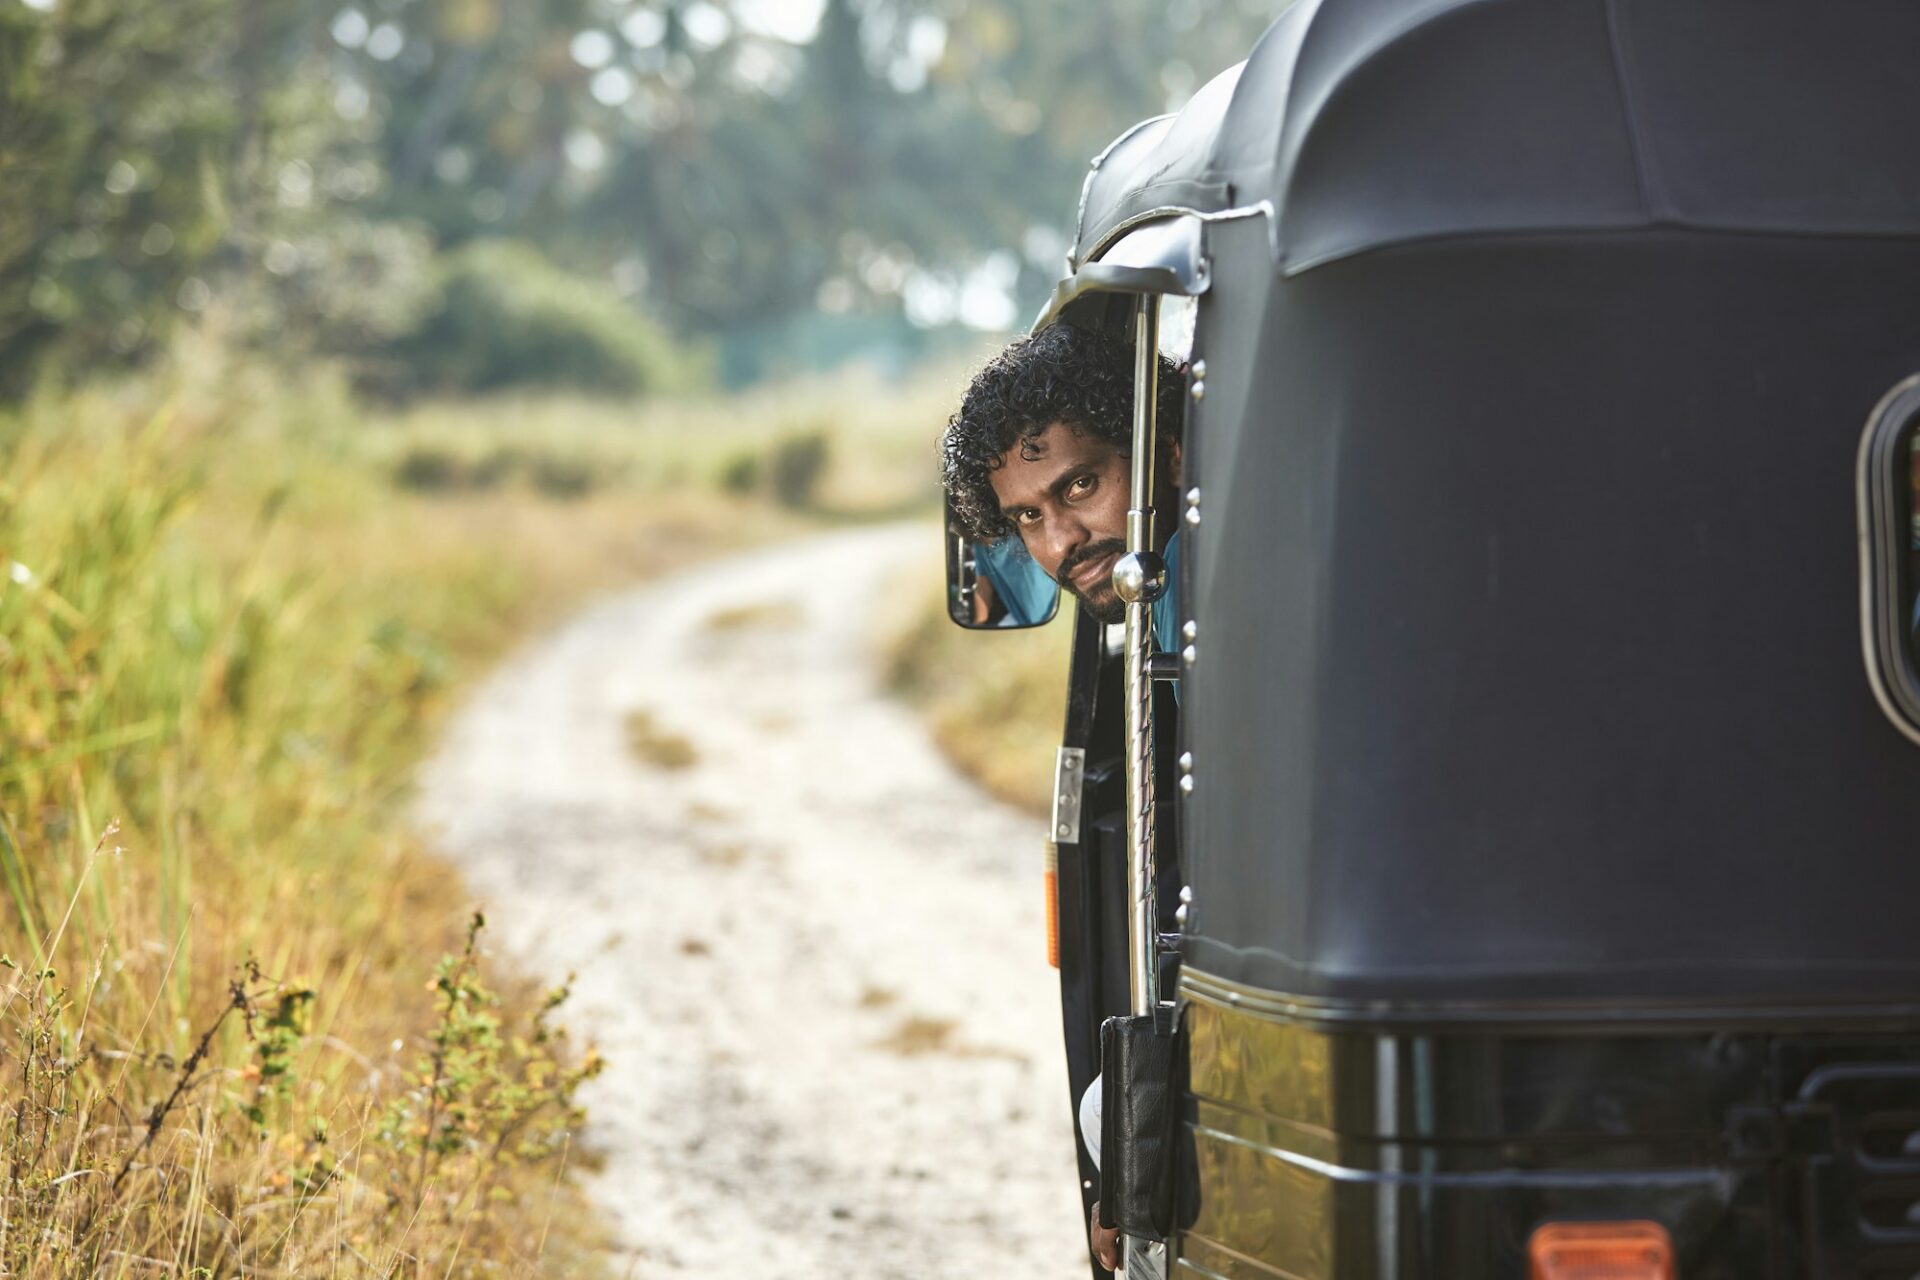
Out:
{"x": 1347, "y": 1152}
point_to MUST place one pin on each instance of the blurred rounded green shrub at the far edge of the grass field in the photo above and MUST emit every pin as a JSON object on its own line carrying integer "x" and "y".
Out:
{"x": 512, "y": 320}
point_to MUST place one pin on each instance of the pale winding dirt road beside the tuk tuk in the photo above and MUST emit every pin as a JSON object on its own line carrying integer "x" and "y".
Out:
{"x": 813, "y": 955}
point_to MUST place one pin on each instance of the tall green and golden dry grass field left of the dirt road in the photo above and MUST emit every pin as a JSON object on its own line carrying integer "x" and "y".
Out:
{"x": 247, "y": 1024}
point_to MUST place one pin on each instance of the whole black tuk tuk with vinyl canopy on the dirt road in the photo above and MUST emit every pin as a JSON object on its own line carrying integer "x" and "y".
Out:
{"x": 1516, "y": 874}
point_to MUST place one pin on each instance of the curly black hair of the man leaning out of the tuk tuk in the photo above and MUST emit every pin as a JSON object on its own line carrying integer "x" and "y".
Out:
{"x": 1059, "y": 375}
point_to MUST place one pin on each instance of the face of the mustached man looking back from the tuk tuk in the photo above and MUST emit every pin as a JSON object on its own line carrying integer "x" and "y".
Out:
{"x": 1067, "y": 494}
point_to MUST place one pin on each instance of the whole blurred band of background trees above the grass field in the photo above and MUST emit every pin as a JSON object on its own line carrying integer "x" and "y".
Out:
{"x": 719, "y": 162}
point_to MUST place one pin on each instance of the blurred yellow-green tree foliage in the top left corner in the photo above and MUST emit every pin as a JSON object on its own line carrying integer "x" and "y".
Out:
{"x": 151, "y": 154}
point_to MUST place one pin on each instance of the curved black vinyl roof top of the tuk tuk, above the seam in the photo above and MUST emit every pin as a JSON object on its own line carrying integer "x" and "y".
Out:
{"x": 1366, "y": 124}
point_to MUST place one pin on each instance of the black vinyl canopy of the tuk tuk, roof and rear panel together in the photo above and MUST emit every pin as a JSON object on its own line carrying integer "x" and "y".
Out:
{"x": 1527, "y": 569}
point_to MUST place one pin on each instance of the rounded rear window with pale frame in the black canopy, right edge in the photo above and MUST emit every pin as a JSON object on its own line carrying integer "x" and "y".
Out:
{"x": 1890, "y": 554}
